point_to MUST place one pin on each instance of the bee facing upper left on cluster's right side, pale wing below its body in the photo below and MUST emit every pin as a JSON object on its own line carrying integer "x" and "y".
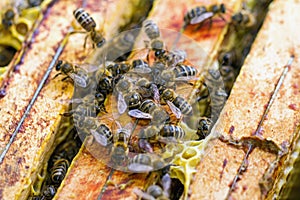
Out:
{"x": 177, "y": 104}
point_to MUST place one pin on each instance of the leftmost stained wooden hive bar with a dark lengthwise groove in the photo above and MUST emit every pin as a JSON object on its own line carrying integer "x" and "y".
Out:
{"x": 34, "y": 142}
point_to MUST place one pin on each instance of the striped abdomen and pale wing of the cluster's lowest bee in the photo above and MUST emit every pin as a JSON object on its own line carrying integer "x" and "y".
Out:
{"x": 140, "y": 163}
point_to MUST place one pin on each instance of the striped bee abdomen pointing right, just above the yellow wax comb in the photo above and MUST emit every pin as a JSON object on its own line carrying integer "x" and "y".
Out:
{"x": 172, "y": 132}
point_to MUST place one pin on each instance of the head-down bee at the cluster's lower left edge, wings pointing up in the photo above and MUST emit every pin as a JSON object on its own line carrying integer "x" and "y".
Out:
{"x": 120, "y": 146}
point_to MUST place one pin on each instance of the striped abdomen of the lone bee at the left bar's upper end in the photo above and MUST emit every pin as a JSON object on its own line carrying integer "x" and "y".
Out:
{"x": 84, "y": 19}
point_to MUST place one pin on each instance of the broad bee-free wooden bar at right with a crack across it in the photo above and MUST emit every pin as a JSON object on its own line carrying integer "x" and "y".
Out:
{"x": 252, "y": 90}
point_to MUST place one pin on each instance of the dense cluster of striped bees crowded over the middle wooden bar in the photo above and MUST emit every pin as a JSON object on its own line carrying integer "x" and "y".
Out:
{"x": 144, "y": 89}
